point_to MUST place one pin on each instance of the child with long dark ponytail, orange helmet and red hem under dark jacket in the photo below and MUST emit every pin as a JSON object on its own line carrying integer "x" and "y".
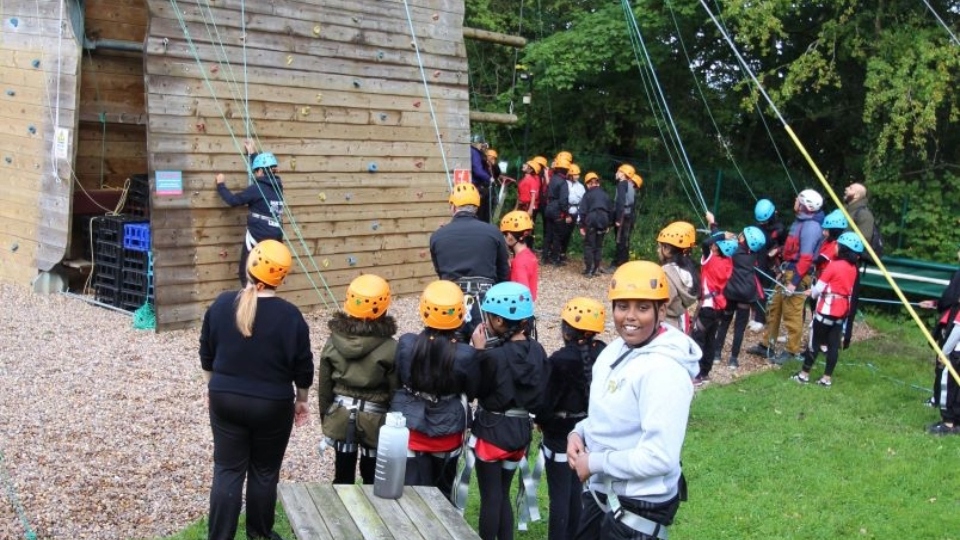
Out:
{"x": 439, "y": 376}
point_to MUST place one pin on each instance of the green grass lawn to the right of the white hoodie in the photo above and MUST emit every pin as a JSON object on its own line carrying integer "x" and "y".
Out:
{"x": 769, "y": 458}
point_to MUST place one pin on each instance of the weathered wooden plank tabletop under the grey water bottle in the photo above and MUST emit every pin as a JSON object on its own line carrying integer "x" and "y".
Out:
{"x": 320, "y": 511}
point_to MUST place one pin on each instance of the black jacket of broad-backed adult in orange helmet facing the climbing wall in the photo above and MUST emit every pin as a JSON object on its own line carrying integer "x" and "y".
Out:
{"x": 468, "y": 247}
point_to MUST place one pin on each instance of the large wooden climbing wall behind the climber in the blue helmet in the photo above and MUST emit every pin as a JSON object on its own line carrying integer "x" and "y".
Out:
{"x": 335, "y": 89}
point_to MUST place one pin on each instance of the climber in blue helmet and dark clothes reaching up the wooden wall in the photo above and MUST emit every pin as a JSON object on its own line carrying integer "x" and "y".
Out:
{"x": 264, "y": 197}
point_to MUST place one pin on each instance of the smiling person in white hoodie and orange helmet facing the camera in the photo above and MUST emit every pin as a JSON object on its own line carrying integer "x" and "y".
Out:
{"x": 628, "y": 448}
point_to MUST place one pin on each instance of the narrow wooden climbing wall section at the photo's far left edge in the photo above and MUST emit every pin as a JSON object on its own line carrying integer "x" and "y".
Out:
{"x": 39, "y": 58}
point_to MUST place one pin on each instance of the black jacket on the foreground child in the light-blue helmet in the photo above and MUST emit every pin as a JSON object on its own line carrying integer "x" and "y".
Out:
{"x": 513, "y": 375}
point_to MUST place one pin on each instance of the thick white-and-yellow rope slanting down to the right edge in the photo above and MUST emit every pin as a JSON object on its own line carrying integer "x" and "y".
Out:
{"x": 833, "y": 196}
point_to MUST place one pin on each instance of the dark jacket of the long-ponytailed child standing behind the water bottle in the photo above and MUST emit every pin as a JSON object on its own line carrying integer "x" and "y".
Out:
{"x": 445, "y": 414}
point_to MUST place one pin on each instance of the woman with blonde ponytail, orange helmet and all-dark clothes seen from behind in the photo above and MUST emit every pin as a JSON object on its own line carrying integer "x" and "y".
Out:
{"x": 254, "y": 350}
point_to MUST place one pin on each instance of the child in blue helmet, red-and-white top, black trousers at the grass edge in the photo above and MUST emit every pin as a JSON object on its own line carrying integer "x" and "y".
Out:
{"x": 833, "y": 292}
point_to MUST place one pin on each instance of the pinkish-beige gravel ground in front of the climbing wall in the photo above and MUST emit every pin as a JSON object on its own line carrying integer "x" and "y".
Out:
{"x": 104, "y": 430}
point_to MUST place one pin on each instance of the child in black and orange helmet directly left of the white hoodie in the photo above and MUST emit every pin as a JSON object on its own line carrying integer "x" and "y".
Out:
{"x": 568, "y": 392}
